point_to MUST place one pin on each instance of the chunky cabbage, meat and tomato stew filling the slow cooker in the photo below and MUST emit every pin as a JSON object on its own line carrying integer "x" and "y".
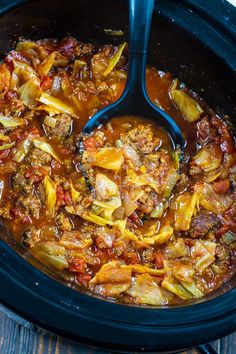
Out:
{"x": 116, "y": 212}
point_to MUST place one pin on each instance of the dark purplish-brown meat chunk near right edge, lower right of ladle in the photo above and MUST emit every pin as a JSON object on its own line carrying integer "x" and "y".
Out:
{"x": 202, "y": 223}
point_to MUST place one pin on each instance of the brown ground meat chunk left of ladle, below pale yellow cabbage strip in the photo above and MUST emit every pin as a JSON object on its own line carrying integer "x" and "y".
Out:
{"x": 62, "y": 129}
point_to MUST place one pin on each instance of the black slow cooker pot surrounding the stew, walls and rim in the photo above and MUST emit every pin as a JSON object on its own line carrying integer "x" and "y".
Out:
{"x": 196, "y": 42}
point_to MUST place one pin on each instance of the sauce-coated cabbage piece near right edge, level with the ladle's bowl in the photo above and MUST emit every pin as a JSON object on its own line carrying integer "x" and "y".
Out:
{"x": 208, "y": 158}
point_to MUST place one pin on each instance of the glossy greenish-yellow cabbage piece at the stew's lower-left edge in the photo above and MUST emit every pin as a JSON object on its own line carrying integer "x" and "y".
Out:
{"x": 51, "y": 254}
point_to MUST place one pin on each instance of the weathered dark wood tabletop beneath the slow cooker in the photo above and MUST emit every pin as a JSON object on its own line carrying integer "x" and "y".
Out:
{"x": 16, "y": 338}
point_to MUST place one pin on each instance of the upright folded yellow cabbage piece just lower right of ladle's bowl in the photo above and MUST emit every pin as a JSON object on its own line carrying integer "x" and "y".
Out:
{"x": 186, "y": 205}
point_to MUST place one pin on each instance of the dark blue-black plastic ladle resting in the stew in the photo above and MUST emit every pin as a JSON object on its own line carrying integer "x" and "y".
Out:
{"x": 134, "y": 100}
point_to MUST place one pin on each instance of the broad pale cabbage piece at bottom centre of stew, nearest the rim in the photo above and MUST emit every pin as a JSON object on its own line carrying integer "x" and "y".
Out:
{"x": 145, "y": 290}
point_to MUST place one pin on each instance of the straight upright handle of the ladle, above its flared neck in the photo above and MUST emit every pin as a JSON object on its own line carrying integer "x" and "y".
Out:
{"x": 140, "y": 16}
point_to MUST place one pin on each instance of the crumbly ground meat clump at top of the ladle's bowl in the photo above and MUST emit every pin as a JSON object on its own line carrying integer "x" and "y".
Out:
{"x": 141, "y": 138}
